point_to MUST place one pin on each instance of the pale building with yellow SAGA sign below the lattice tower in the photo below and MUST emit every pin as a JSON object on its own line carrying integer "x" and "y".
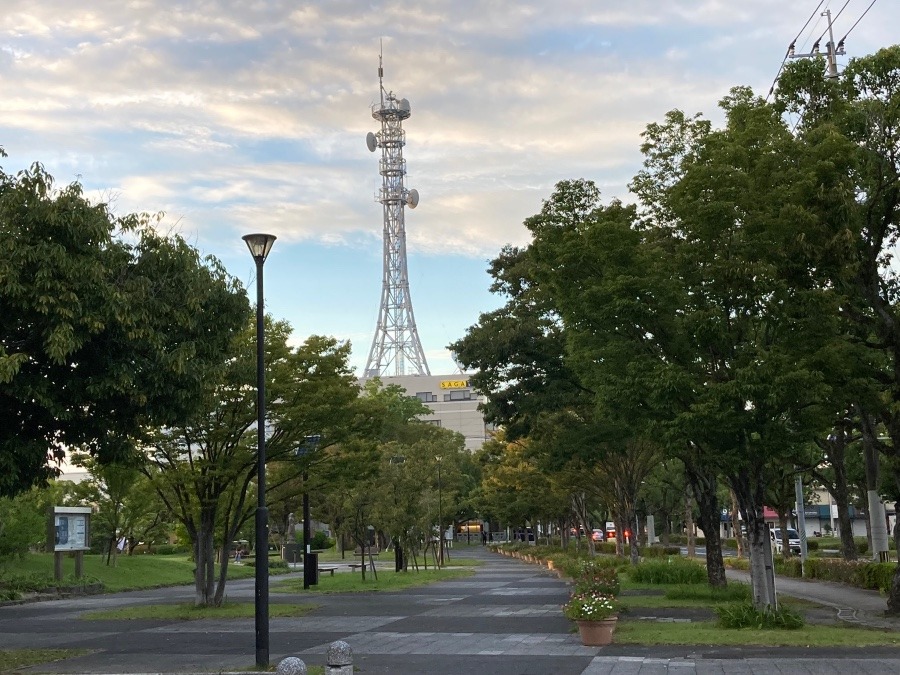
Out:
{"x": 453, "y": 402}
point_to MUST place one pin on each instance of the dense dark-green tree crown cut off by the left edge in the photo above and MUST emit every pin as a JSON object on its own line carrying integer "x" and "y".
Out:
{"x": 106, "y": 327}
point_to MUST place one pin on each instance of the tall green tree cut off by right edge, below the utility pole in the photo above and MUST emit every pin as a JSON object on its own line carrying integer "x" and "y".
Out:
{"x": 851, "y": 126}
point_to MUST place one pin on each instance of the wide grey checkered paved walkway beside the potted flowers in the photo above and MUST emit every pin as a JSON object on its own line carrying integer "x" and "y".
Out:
{"x": 503, "y": 621}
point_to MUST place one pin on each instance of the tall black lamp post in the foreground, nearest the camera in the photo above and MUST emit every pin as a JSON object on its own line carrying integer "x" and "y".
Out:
{"x": 260, "y": 245}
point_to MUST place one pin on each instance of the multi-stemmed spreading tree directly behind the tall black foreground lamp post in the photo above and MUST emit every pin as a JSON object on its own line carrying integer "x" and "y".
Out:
{"x": 205, "y": 470}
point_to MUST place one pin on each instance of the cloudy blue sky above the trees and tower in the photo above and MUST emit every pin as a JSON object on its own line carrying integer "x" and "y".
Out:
{"x": 239, "y": 116}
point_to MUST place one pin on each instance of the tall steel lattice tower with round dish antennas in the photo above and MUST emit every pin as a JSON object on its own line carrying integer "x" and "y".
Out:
{"x": 396, "y": 349}
